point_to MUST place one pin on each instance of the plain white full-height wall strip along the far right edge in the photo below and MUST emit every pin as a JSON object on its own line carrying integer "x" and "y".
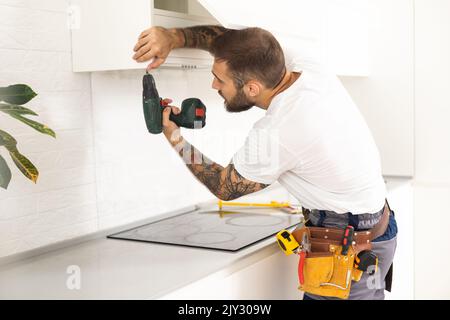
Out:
{"x": 432, "y": 154}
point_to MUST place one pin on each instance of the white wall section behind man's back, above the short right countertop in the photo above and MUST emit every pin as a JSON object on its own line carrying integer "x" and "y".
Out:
{"x": 386, "y": 97}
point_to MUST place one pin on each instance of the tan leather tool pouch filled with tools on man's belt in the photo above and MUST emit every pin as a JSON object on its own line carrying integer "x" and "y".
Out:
{"x": 329, "y": 259}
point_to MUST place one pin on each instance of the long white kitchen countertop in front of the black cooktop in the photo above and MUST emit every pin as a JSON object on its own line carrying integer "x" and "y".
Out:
{"x": 119, "y": 269}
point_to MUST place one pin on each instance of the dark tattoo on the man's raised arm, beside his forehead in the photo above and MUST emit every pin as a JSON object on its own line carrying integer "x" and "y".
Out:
{"x": 201, "y": 37}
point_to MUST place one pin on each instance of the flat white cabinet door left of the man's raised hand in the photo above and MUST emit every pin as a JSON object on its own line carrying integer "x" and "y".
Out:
{"x": 104, "y": 33}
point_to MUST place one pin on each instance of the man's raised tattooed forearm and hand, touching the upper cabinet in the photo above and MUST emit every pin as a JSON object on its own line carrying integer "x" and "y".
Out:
{"x": 157, "y": 42}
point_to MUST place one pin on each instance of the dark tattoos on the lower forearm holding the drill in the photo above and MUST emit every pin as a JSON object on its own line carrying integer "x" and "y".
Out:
{"x": 225, "y": 183}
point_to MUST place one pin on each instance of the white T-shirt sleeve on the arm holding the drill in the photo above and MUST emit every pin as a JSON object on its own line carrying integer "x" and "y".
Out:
{"x": 263, "y": 158}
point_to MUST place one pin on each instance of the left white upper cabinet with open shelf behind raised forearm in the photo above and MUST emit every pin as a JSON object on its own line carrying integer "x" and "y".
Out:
{"x": 104, "y": 32}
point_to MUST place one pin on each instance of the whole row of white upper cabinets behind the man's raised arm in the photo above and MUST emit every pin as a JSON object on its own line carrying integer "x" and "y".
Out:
{"x": 332, "y": 31}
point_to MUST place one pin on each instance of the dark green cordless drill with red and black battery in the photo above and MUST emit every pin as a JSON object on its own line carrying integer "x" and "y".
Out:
{"x": 192, "y": 115}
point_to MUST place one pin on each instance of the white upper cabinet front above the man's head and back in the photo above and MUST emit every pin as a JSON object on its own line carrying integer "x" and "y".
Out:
{"x": 332, "y": 32}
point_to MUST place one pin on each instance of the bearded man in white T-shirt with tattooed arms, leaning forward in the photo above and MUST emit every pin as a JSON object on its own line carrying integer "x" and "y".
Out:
{"x": 320, "y": 148}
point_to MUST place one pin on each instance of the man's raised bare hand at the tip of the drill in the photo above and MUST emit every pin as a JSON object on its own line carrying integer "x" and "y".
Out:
{"x": 155, "y": 44}
